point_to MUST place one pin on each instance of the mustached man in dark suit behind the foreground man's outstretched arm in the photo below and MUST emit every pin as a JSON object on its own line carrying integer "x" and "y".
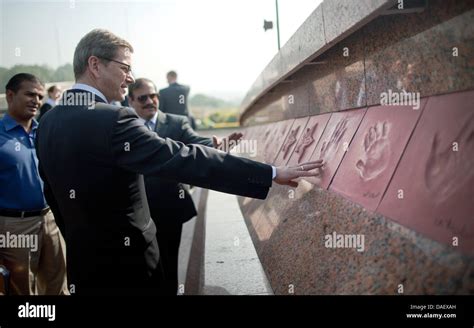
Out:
{"x": 170, "y": 203}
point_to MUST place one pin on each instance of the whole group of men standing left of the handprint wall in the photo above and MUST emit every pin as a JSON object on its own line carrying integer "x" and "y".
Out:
{"x": 107, "y": 182}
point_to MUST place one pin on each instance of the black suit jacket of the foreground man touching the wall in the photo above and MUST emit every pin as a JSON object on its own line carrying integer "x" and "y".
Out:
{"x": 91, "y": 161}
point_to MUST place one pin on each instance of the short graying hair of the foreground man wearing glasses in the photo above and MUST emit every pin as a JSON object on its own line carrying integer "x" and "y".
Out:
{"x": 100, "y": 43}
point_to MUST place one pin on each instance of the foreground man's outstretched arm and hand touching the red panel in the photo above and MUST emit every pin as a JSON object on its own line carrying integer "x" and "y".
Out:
{"x": 139, "y": 150}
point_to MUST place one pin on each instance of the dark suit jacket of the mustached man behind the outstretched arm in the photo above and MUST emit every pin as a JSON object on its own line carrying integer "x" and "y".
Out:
{"x": 169, "y": 200}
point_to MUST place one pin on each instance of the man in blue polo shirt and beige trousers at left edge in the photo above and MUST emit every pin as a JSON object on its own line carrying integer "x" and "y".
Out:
{"x": 31, "y": 245}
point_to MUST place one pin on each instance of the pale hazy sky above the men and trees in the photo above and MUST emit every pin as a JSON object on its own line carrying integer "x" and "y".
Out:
{"x": 218, "y": 47}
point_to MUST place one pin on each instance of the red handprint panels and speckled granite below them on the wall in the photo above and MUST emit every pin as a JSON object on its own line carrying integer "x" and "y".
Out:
{"x": 410, "y": 197}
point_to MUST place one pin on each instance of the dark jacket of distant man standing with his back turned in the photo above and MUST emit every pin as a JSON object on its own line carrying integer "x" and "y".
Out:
{"x": 170, "y": 99}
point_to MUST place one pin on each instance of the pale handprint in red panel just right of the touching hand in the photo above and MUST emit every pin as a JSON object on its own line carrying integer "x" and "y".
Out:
{"x": 376, "y": 151}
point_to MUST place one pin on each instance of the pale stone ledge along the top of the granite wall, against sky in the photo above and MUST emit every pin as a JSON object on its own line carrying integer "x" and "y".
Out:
{"x": 329, "y": 23}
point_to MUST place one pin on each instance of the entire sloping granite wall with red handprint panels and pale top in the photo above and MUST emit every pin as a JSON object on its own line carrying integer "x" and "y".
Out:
{"x": 386, "y": 100}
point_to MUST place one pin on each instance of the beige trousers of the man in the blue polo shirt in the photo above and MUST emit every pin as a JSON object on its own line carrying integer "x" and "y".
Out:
{"x": 34, "y": 252}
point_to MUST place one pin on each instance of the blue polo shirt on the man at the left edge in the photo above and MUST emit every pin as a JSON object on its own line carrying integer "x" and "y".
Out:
{"x": 21, "y": 187}
